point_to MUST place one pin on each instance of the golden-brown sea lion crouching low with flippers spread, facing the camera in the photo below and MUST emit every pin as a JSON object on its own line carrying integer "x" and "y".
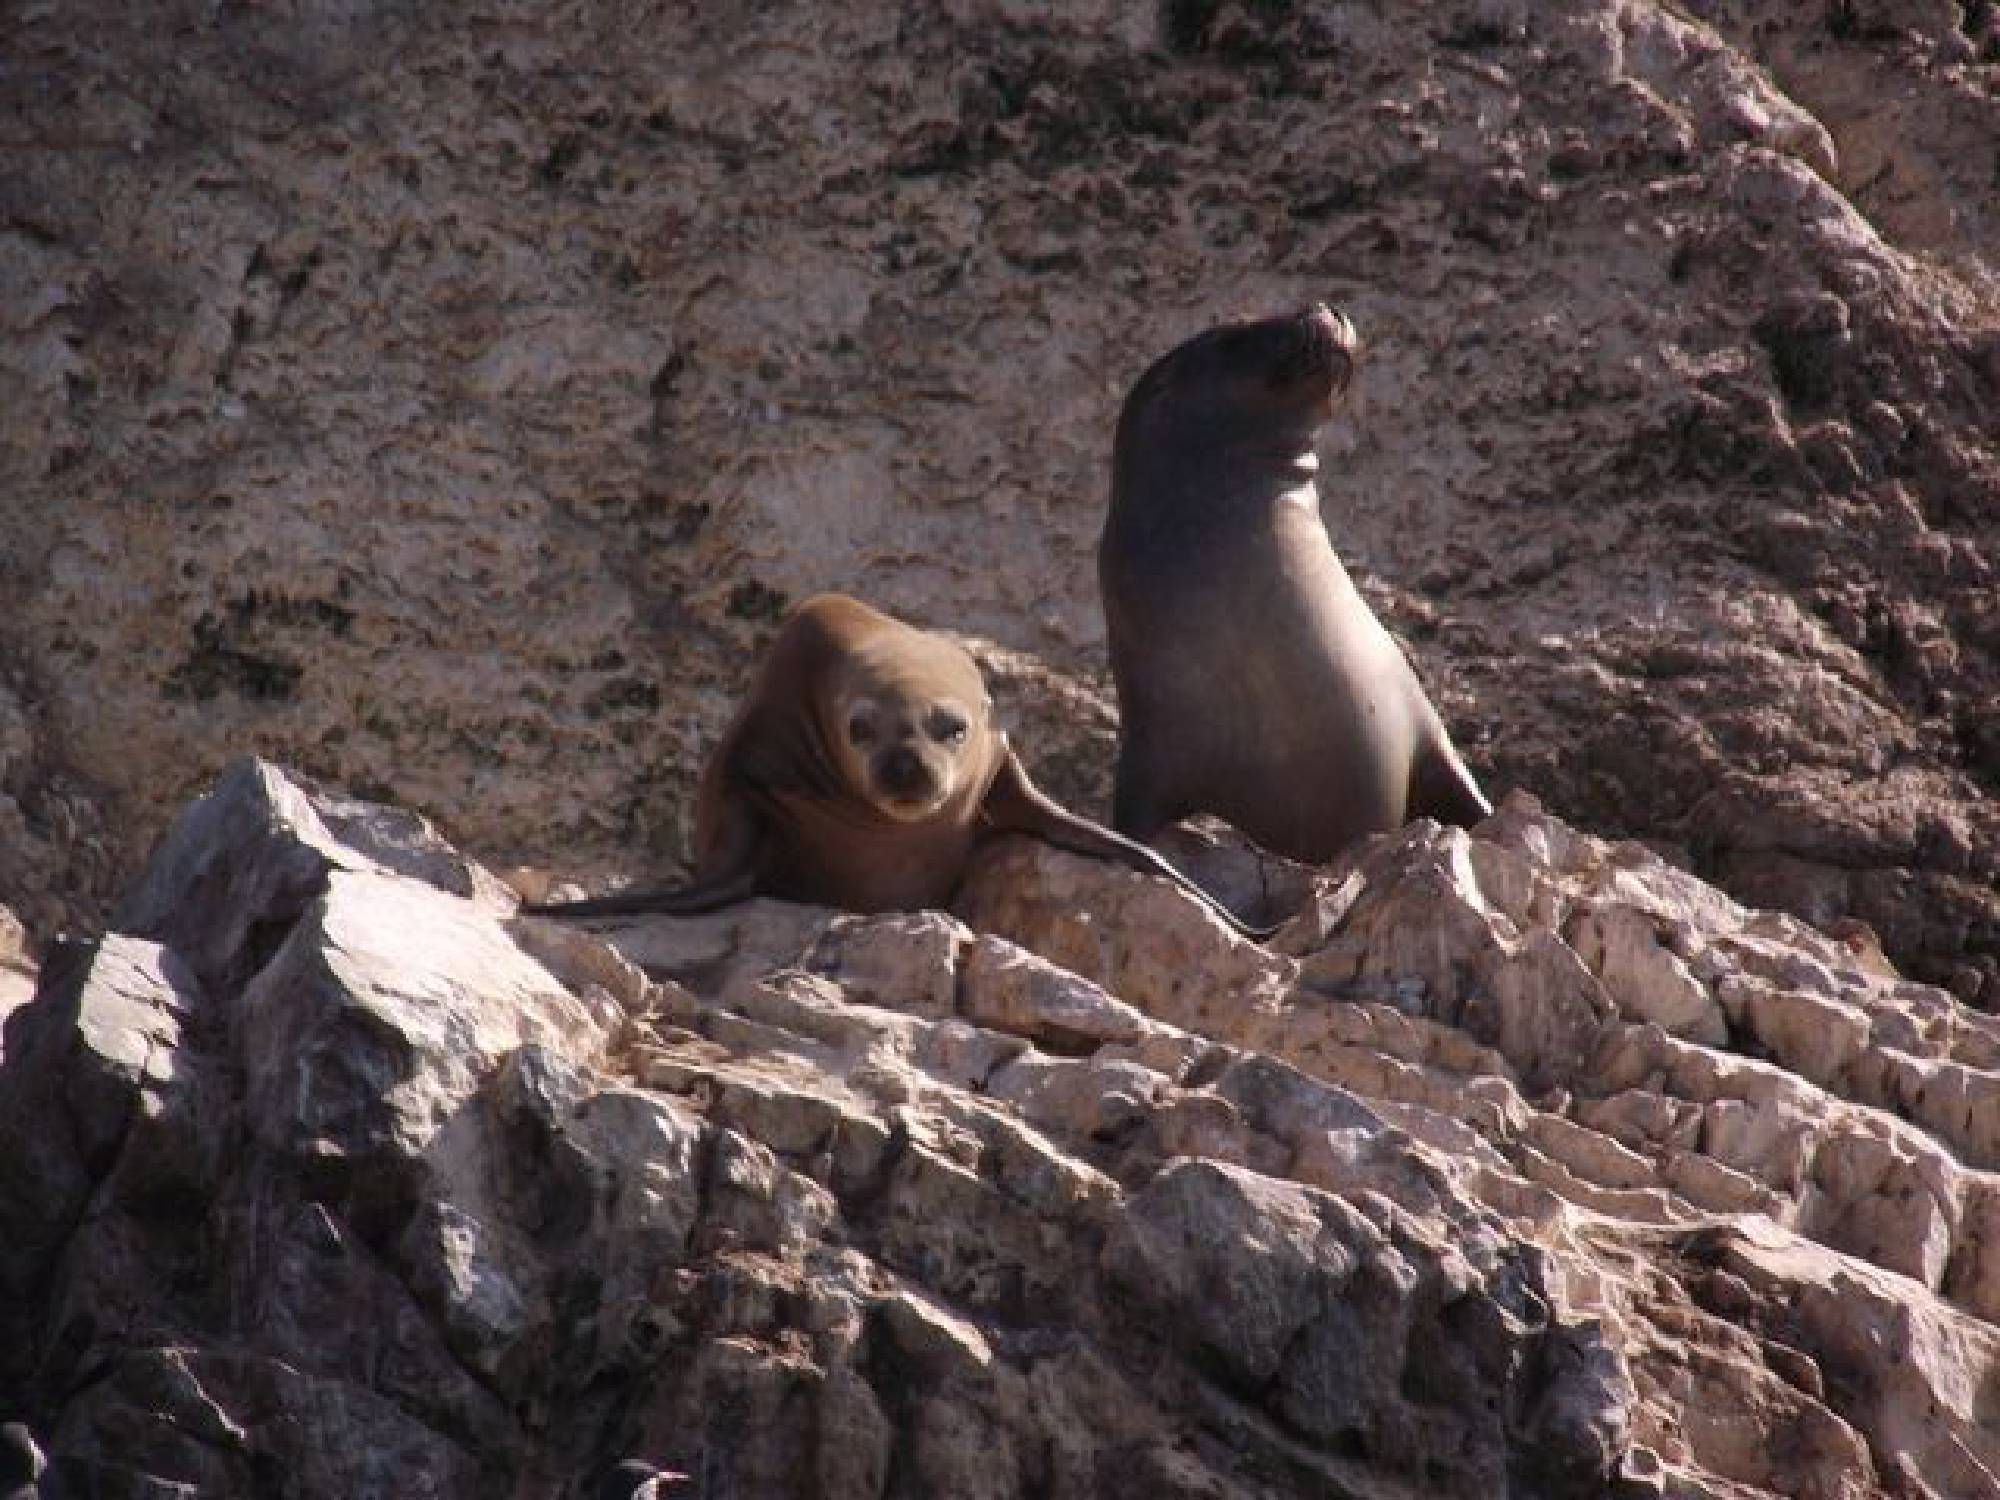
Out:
{"x": 863, "y": 771}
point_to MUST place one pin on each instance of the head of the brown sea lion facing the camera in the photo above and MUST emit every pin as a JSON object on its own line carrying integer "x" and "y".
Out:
{"x": 911, "y": 725}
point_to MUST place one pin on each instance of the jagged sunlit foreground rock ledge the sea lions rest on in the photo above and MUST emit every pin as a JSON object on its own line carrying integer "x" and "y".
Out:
{"x": 1523, "y": 1165}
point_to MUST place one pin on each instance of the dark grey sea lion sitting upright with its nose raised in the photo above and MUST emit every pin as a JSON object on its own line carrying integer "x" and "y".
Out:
{"x": 1253, "y": 679}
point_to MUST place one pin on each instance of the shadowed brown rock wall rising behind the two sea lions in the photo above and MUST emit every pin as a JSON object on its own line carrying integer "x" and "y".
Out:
{"x": 447, "y": 403}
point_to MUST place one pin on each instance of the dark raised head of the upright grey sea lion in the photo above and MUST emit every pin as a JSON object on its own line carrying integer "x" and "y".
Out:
{"x": 1265, "y": 385}
